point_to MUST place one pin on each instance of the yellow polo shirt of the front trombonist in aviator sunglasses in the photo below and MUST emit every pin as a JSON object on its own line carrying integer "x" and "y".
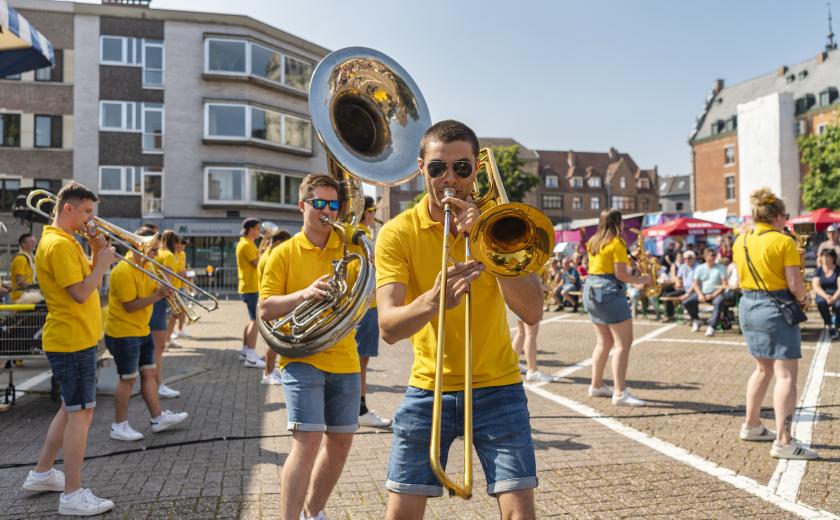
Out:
{"x": 408, "y": 251}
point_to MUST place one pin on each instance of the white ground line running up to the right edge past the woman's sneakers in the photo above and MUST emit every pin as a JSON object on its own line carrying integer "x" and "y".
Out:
{"x": 788, "y": 475}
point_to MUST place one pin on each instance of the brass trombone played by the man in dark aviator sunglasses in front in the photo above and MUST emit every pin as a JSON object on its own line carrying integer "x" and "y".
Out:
{"x": 511, "y": 239}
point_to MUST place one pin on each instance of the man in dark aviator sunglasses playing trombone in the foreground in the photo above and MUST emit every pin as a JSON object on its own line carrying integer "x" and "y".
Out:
{"x": 408, "y": 257}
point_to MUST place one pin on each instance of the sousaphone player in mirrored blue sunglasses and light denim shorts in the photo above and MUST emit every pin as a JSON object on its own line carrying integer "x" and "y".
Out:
{"x": 321, "y": 390}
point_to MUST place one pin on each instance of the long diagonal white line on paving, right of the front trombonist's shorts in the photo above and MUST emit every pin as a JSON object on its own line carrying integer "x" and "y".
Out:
{"x": 726, "y": 475}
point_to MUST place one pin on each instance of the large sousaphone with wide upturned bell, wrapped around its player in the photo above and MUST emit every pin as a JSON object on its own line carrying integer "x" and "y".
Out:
{"x": 370, "y": 117}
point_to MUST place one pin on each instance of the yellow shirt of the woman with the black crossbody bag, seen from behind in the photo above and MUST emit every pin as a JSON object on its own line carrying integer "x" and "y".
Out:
{"x": 770, "y": 252}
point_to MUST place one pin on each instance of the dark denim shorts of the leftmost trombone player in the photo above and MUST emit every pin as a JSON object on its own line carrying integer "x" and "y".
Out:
{"x": 76, "y": 376}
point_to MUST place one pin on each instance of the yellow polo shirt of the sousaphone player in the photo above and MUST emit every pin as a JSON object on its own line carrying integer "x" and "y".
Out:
{"x": 294, "y": 265}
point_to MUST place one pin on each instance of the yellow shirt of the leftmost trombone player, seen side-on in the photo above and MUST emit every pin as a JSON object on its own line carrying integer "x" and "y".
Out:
{"x": 70, "y": 326}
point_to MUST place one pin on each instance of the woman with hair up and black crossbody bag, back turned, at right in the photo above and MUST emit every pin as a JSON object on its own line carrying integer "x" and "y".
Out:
{"x": 768, "y": 270}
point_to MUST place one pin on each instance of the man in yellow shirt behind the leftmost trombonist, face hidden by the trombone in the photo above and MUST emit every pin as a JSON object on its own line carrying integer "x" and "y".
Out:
{"x": 131, "y": 296}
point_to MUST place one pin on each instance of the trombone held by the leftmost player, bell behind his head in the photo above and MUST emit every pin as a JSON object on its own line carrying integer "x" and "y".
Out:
{"x": 137, "y": 245}
